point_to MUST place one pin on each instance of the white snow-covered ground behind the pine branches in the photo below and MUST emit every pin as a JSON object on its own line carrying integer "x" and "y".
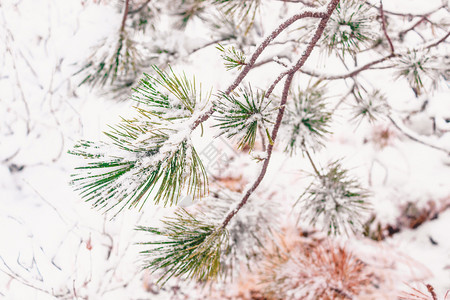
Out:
{"x": 54, "y": 244}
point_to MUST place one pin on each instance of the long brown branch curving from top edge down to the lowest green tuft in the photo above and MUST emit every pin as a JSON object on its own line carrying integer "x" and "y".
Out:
{"x": 290, "y": 75}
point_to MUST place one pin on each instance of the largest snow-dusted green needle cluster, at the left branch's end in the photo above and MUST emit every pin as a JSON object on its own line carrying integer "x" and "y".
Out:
{"x": 151, "y": 152}
